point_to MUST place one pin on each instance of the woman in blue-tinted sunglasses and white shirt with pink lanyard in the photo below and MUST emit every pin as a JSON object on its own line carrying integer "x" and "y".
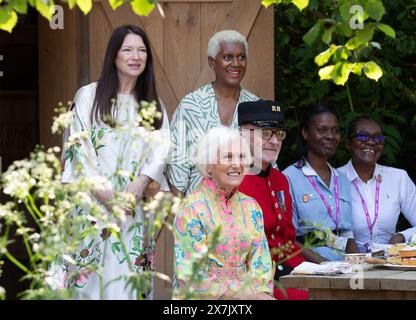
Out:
{"x": 379, "y": 193}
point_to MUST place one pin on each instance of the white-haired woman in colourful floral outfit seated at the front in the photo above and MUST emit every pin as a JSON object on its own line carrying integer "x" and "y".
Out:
{"x": 221, "y": 251}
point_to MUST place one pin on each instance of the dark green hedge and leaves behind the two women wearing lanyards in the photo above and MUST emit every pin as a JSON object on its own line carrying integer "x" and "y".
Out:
{"x": 389, "y": 49}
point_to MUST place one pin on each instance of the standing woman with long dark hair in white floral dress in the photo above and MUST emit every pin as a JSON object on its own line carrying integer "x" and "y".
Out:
{"x": 110, "y": 145}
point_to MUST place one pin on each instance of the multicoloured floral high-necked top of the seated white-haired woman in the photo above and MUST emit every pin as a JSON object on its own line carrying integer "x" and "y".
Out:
{"x": 240, "y": 260}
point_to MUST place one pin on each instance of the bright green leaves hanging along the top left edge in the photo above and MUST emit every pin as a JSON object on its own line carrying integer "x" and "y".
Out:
{"x": 9, "y": 9}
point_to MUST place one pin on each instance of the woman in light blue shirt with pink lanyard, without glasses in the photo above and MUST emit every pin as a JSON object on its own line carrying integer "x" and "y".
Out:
{"x": 321, "y": 195}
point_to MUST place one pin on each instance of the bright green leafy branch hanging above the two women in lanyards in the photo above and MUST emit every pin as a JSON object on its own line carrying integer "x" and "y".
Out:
{"x": 348, "y": 23}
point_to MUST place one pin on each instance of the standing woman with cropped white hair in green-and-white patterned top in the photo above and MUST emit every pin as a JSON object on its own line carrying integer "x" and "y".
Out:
{"x": 209, "y": 106}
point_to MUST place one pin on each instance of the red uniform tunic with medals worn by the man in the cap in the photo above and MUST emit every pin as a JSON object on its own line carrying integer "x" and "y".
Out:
{"x": 270, "y": 189}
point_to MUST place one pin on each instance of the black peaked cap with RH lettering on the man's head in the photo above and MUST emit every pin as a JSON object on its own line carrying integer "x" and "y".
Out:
{"x": 263, "y": 113}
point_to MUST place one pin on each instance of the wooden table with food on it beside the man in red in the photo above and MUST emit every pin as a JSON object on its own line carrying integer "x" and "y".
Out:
{"x": 369, "y": 283}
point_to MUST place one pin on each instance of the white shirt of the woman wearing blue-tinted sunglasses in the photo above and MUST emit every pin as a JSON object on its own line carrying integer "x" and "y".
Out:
{"x": 397, "y": 194}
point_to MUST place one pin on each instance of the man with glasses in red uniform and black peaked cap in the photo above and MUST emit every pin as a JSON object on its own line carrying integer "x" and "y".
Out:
{"x": 261, "y": 122}
